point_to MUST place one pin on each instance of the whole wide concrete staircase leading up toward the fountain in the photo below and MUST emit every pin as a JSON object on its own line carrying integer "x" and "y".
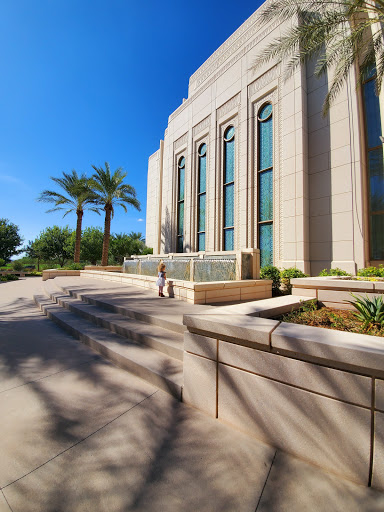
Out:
{"x": 132, "y": 334}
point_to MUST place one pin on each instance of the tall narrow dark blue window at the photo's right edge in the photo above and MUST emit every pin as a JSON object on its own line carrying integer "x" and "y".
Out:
{"x": 375, "y": 169}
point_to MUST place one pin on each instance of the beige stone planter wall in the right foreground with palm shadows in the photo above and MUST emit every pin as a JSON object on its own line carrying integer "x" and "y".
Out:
{"x": 311, "y": 392}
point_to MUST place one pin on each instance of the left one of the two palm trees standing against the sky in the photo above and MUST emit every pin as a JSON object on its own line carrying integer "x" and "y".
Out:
{"x": 78, "y": 197}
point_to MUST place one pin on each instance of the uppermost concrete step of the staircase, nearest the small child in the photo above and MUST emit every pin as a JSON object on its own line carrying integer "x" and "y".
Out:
{"x": 126, "y": 308}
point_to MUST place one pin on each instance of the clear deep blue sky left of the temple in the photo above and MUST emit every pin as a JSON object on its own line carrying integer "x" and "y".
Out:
{"x": 88, "y": 81}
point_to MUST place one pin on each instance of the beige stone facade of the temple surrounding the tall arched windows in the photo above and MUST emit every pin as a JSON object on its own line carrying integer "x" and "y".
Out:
{"x": 318, "y": 207}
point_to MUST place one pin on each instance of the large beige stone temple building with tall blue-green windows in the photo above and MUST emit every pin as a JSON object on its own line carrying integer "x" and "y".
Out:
{"x": 249, "y": 162}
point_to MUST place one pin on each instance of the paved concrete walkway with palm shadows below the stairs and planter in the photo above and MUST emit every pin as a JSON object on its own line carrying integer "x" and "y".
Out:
{"x": 78, "y": 434}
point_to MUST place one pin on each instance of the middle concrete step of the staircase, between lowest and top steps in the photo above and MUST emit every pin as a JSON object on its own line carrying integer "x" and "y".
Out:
{"x": 167, "y": 342}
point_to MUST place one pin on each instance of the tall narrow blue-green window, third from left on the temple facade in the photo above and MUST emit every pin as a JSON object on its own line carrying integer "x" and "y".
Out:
{"x": 229, "y": 188}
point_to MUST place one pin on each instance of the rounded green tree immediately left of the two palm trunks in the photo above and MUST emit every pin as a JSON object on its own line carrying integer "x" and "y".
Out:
{"x": 55, "y": 244}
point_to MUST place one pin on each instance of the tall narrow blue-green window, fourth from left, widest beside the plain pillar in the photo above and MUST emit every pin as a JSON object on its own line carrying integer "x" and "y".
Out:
{"x": 265, "y": 185}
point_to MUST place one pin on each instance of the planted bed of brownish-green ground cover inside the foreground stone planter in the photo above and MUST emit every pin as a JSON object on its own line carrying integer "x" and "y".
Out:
{"x": 329, "y": 318}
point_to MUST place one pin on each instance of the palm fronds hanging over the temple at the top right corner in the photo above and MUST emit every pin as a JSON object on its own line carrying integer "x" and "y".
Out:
{"x": 338, "y": 34}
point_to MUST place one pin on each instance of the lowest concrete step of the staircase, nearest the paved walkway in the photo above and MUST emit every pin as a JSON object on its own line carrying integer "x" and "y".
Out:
{"x": 161, "y": 370}
